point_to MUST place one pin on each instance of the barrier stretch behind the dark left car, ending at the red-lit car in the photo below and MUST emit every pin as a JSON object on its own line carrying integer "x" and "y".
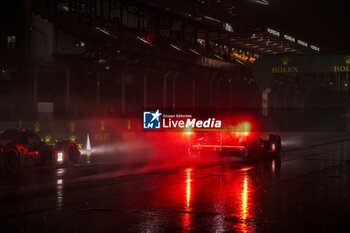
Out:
{"x": 101, "y": 131}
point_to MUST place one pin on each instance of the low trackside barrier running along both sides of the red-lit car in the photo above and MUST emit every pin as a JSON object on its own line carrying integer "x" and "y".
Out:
{"x": 104, "y": 131}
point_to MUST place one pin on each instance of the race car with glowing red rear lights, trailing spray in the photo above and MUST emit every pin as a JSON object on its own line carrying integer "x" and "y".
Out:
{"x": 236, "y": 142}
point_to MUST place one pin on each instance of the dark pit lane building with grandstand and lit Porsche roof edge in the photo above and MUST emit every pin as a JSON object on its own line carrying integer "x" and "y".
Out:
{"x": 71, "y": 58}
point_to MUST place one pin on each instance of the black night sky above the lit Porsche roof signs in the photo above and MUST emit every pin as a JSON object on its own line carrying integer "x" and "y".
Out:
{"x": 323, "y": 23}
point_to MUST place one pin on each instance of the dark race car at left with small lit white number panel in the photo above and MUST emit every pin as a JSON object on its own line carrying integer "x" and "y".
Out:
{"x": 24, "y": 148}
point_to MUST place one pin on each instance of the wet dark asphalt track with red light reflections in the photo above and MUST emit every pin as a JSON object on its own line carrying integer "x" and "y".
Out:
{"x": 307, "y": 190}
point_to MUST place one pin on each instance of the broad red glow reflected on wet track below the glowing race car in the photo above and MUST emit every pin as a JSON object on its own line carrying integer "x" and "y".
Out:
{"x": 219, "y": 198}
